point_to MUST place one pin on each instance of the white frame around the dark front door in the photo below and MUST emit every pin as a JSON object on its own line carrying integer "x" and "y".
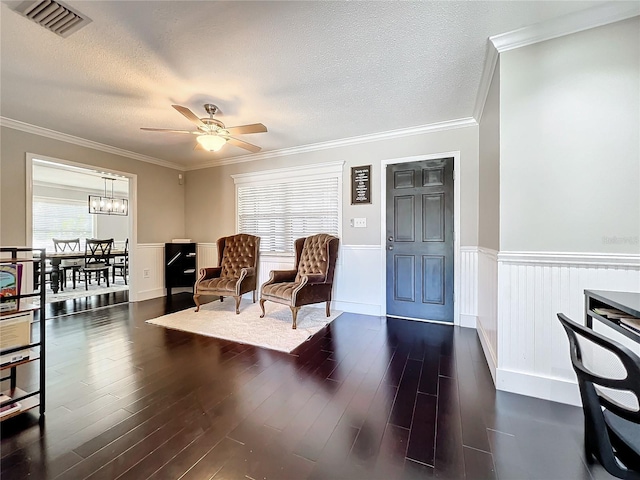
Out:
{"x": 456, "y": 226}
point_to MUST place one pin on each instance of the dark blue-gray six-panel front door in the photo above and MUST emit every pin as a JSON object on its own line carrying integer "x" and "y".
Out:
{"x": 419, "y": 240}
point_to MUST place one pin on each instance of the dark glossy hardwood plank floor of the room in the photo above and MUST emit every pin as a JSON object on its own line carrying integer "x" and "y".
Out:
{"x": 366, "y": 398}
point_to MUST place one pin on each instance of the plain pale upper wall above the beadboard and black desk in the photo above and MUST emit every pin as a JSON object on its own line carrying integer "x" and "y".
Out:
{"x": 570, "y": 143}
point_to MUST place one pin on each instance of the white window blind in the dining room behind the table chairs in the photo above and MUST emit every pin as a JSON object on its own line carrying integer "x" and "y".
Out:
{"x": 57, "y": 218}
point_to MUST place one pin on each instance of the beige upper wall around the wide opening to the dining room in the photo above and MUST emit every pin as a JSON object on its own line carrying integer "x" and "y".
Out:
{"x": 160, "y": 198}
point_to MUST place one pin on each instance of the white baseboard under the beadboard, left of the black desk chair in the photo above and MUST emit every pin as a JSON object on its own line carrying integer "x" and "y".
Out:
{"x": 546, "y": 388}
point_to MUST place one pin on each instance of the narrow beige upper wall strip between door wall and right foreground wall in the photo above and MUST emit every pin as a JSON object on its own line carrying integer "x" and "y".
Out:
{"x": 489, "y": 165}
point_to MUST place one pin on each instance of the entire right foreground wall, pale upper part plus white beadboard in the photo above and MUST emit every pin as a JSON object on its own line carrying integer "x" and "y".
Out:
{"x": 569, "y": 196}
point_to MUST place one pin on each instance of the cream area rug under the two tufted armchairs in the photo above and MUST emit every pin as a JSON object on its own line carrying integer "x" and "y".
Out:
{"x": 219, "y": 319}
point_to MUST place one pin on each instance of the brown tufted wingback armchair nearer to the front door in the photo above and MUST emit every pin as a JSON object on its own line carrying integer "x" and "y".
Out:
{"x": 310, "y": 281}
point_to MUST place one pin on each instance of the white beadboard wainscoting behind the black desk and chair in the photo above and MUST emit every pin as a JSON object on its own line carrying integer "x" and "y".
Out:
{"x": 532, "y": 289}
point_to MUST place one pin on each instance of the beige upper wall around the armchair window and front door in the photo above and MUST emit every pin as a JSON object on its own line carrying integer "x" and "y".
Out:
{"x": 210, "y": 194}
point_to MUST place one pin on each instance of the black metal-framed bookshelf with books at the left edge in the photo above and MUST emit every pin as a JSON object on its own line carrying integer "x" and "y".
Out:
{"x": 18, "y": 348}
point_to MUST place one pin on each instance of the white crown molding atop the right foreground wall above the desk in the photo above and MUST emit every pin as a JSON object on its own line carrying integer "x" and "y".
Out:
{"x": 604, "y": 14}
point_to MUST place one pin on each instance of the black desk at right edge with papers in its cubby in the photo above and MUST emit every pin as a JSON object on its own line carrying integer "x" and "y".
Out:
{"x": 626, "y": 302}
